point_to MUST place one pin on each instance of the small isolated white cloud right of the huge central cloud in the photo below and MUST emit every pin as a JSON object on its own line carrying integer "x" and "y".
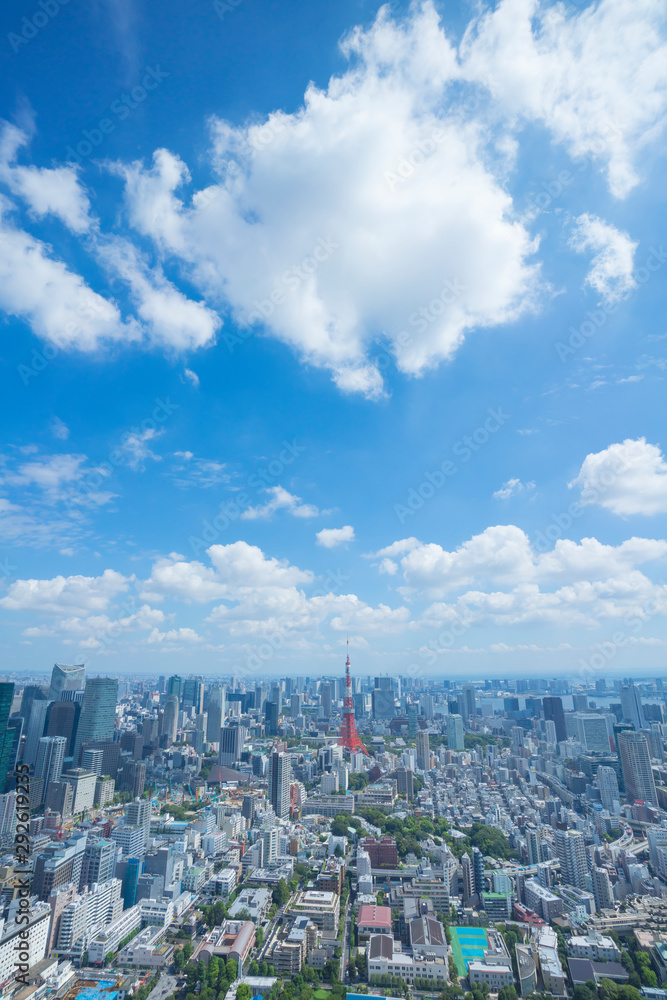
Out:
{"x": 611, "y": 273}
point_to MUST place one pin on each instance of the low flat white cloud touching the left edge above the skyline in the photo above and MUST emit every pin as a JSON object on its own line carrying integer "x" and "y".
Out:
{"x": 76, "y": 594}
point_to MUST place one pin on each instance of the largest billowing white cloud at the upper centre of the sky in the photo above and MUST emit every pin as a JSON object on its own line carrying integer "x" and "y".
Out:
{"x": 313, "y": 231}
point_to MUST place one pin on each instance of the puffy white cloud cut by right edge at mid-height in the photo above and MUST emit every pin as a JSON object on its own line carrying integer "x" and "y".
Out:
{"x": 627, "y": 478}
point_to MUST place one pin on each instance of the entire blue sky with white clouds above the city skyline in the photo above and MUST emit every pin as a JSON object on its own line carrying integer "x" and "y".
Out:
{"x": 318, "y": 320}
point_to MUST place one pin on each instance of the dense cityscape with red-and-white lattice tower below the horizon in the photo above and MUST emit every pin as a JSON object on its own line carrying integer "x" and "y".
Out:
{"x": 311, "y": 837}
